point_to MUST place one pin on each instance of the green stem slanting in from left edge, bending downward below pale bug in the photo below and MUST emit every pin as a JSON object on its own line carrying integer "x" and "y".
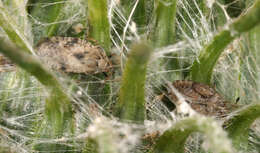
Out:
{"x": 58, "y": 106}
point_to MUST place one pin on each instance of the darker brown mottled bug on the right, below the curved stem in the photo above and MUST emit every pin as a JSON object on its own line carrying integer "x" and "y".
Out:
{"x": 202, "y": 98}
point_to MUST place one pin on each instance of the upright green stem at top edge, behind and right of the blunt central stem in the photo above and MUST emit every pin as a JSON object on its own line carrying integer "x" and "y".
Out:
{"x": 163, "y": 31}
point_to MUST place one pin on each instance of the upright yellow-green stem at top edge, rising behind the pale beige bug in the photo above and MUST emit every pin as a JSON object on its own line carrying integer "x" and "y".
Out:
{"x": 99, "y": 28}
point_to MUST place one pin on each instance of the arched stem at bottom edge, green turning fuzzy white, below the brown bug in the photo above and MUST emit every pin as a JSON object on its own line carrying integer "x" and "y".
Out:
{"x": 173, "y": 140}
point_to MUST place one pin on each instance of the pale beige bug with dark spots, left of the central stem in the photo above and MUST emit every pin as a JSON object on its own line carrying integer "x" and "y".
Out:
{"x": 73, "y": 55}
